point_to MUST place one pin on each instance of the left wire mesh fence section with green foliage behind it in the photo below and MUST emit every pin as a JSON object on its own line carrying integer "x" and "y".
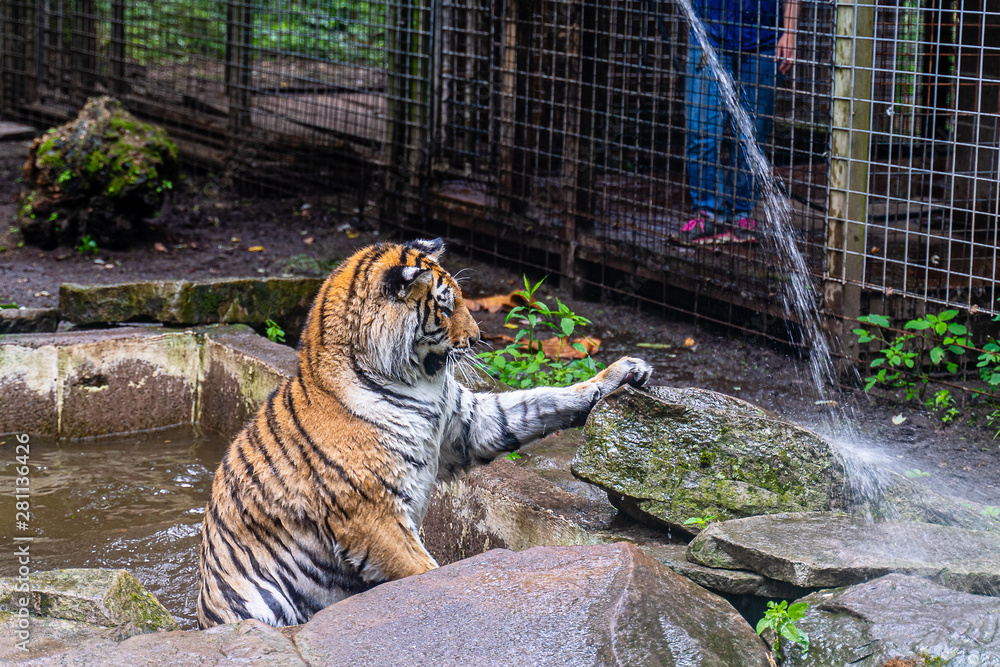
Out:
{"x": 285, "y": 93}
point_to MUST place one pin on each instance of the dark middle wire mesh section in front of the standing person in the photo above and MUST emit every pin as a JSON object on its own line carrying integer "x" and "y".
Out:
{"x": 562, "y": 145}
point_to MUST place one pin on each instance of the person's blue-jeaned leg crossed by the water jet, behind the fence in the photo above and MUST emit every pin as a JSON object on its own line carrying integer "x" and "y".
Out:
{"x": 758, "y": 77}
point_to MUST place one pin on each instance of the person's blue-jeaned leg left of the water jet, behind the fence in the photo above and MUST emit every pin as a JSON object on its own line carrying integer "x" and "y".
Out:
{"x": 704, "y": 119}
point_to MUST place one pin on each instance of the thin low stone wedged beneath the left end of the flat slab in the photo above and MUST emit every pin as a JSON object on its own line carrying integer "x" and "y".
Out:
{"x": 735, "y": 582}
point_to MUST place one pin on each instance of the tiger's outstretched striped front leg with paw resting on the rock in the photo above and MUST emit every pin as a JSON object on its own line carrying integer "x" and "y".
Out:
{"x": 491, "y": 424}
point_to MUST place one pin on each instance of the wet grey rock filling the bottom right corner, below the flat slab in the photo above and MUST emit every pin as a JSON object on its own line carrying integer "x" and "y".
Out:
{"x": 896, "y": 616}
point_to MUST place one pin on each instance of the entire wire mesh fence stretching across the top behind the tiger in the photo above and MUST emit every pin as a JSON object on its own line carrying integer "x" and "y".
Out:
{"x": 562, "y": 134}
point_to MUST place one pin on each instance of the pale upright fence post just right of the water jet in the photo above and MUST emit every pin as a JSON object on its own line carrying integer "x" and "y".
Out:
{"x": 849, "y": 166}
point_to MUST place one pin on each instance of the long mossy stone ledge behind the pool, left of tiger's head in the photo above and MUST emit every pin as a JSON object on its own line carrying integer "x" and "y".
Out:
{"x": 245, "y": 300}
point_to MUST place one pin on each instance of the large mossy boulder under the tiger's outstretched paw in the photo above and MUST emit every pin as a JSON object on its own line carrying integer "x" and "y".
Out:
{"x": 665, "y": 455}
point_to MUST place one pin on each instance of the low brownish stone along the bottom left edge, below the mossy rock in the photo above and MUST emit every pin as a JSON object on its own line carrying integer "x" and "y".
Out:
{"x": 248, "y": 643}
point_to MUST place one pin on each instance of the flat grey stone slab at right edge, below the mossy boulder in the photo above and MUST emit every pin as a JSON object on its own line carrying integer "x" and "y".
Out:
{"x": 823, "y": 549}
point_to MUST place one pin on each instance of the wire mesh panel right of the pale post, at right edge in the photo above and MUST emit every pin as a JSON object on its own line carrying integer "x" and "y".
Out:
{"x": 931, "y": 174}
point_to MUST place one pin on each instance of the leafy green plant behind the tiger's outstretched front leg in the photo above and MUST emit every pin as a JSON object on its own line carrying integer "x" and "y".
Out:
{"x": 523, "y": 363}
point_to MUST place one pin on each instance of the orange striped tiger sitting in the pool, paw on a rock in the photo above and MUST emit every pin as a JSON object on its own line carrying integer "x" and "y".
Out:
{"x": 322, "y": 494}
